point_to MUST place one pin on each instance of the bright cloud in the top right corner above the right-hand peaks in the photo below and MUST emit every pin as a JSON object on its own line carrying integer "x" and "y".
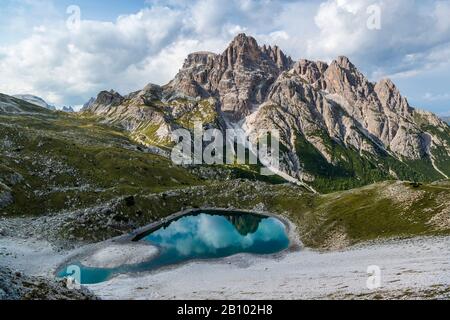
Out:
{"x": 411, "y": 36}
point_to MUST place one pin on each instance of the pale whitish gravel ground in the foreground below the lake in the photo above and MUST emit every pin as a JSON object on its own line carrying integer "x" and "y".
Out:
{"x": 409, "y": 269}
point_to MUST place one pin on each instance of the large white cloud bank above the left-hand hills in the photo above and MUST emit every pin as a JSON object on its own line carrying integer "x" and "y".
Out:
{"x": 61, "y": 65}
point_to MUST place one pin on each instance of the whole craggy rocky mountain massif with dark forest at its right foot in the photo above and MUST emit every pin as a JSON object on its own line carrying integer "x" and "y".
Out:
{"x": 338, "y": 129}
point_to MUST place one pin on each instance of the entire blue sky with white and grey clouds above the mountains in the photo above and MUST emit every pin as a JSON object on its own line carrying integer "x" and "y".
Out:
{"x": 127, "y": 44}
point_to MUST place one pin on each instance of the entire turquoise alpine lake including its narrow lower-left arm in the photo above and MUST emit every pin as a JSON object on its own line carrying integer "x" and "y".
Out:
{"x": 199, "y": 236}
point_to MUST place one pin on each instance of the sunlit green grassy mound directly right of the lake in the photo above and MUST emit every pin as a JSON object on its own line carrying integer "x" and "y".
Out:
{"x": 384, "y": 210}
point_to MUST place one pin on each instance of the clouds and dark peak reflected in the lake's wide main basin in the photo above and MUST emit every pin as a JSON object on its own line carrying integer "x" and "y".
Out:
{"x": 217, "y": 236}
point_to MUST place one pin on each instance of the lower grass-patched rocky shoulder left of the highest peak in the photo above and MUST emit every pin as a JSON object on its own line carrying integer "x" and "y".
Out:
{"x": 153, "y": 113}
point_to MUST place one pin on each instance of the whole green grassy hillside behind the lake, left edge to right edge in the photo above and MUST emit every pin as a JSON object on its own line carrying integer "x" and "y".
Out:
{"x": 81, "y": 180}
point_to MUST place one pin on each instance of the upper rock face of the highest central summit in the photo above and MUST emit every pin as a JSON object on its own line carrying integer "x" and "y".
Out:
{"x": 240, "y": 77}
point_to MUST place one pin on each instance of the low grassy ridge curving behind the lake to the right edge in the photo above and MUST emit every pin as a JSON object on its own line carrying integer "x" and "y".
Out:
{"x": 337, "y": 220}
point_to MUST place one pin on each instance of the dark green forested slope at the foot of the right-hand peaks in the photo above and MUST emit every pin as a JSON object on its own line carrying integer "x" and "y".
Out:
{"x": 351, "y": 169}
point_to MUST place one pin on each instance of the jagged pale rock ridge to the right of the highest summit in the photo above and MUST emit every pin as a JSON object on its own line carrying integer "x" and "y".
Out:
{"x": 377, "y": 108}
